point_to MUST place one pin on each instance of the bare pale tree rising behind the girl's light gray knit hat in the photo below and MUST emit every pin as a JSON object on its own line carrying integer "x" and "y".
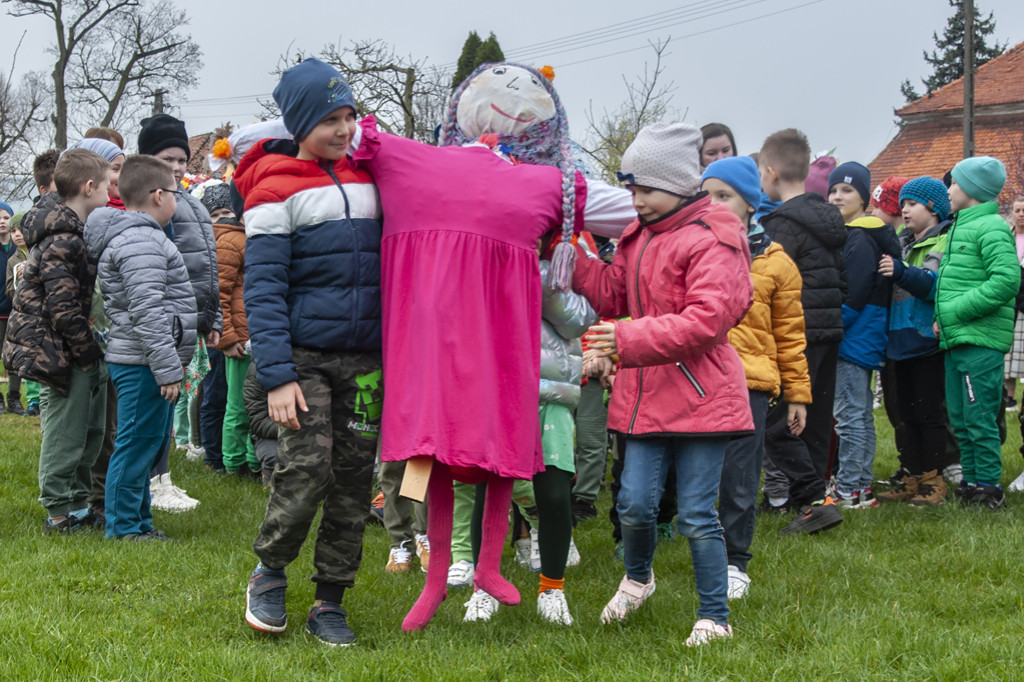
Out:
{"x": 648, "y": 101}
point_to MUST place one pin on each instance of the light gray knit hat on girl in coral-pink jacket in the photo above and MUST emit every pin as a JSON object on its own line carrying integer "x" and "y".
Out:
{"x": 665, "y": 156}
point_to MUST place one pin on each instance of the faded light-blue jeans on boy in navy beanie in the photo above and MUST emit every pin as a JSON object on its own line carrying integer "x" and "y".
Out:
{"x": 856, "y": 428}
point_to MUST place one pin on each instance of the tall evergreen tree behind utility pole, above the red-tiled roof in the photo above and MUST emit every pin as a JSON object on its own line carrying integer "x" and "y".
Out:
{"x": 948, "y": 60}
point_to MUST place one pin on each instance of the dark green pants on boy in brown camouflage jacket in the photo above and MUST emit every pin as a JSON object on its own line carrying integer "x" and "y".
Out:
{"x": 73, "y": 435}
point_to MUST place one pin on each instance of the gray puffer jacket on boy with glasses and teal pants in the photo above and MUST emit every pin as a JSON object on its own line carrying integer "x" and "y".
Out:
{"x": 147, "y": 293}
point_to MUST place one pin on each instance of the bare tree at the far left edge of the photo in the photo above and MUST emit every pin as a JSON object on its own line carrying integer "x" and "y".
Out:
{"x": 23, "y": 122}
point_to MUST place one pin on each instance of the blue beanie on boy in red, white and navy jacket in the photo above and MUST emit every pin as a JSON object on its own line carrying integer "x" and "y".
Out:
{"x": 308, "y": 93}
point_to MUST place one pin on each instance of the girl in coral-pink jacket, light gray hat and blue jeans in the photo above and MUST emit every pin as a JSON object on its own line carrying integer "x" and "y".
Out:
{"x": 682, "y": 275}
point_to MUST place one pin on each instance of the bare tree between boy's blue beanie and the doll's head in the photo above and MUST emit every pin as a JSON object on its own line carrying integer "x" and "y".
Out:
{"x": 407, "y": 96}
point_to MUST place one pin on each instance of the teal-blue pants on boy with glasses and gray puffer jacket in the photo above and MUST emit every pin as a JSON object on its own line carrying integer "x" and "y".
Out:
{"x": 144, "y": 435}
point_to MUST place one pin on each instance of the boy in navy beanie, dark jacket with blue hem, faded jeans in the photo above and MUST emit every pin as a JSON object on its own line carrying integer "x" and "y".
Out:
{"x": 866, "y": 329}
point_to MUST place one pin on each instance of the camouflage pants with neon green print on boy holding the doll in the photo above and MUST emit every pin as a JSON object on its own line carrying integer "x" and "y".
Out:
{"x": 329, "y": 460}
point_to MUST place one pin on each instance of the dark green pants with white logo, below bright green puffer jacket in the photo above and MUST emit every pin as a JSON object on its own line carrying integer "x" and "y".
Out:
{"x": 974, "y": 394}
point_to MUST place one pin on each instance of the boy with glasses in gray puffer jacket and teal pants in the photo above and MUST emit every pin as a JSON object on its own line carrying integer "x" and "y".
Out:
{"x": 152, "y": 308}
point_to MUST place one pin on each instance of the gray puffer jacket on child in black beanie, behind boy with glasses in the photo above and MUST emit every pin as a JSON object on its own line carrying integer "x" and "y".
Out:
{"x": 195, "y": 239}
